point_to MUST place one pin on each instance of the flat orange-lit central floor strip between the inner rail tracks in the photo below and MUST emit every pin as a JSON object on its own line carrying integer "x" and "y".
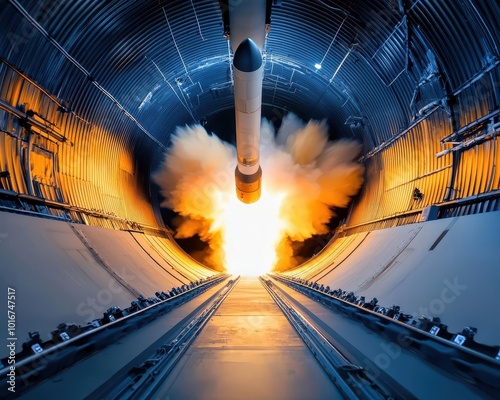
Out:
{"x": 248, "y": 350}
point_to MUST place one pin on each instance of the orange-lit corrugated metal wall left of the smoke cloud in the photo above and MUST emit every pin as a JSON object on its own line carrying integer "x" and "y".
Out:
{"x": 58, "y": 157}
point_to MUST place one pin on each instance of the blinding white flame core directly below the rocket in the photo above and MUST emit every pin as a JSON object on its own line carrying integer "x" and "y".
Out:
{"x": 250, "y": 233}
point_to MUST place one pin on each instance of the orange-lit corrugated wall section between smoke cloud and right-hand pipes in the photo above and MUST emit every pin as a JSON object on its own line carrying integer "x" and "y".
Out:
{"x": 409, "y": 163}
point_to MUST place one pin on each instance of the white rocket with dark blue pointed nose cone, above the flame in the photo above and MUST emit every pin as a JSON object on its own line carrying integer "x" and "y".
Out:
{"x": 248, "y": 72}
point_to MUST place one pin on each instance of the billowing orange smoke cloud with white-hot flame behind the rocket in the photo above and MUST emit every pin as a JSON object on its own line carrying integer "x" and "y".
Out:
{"x": 303, "y": 176}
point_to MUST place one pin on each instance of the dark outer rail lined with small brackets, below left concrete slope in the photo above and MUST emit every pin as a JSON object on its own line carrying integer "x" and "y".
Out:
{"x": 70, "y": 343}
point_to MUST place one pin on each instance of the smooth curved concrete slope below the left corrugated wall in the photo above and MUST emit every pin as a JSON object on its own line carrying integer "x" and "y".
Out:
{"x": 72, "y": 273}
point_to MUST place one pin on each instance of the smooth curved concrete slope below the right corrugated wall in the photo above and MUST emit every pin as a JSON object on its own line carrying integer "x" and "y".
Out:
{"x": 448, "y": 268}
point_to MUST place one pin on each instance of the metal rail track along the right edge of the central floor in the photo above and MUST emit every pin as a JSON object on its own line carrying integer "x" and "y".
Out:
{"x": 350, "y": 379}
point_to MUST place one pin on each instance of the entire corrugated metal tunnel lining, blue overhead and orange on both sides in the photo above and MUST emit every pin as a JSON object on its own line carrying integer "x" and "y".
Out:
{"x": 416, "y": 81}
